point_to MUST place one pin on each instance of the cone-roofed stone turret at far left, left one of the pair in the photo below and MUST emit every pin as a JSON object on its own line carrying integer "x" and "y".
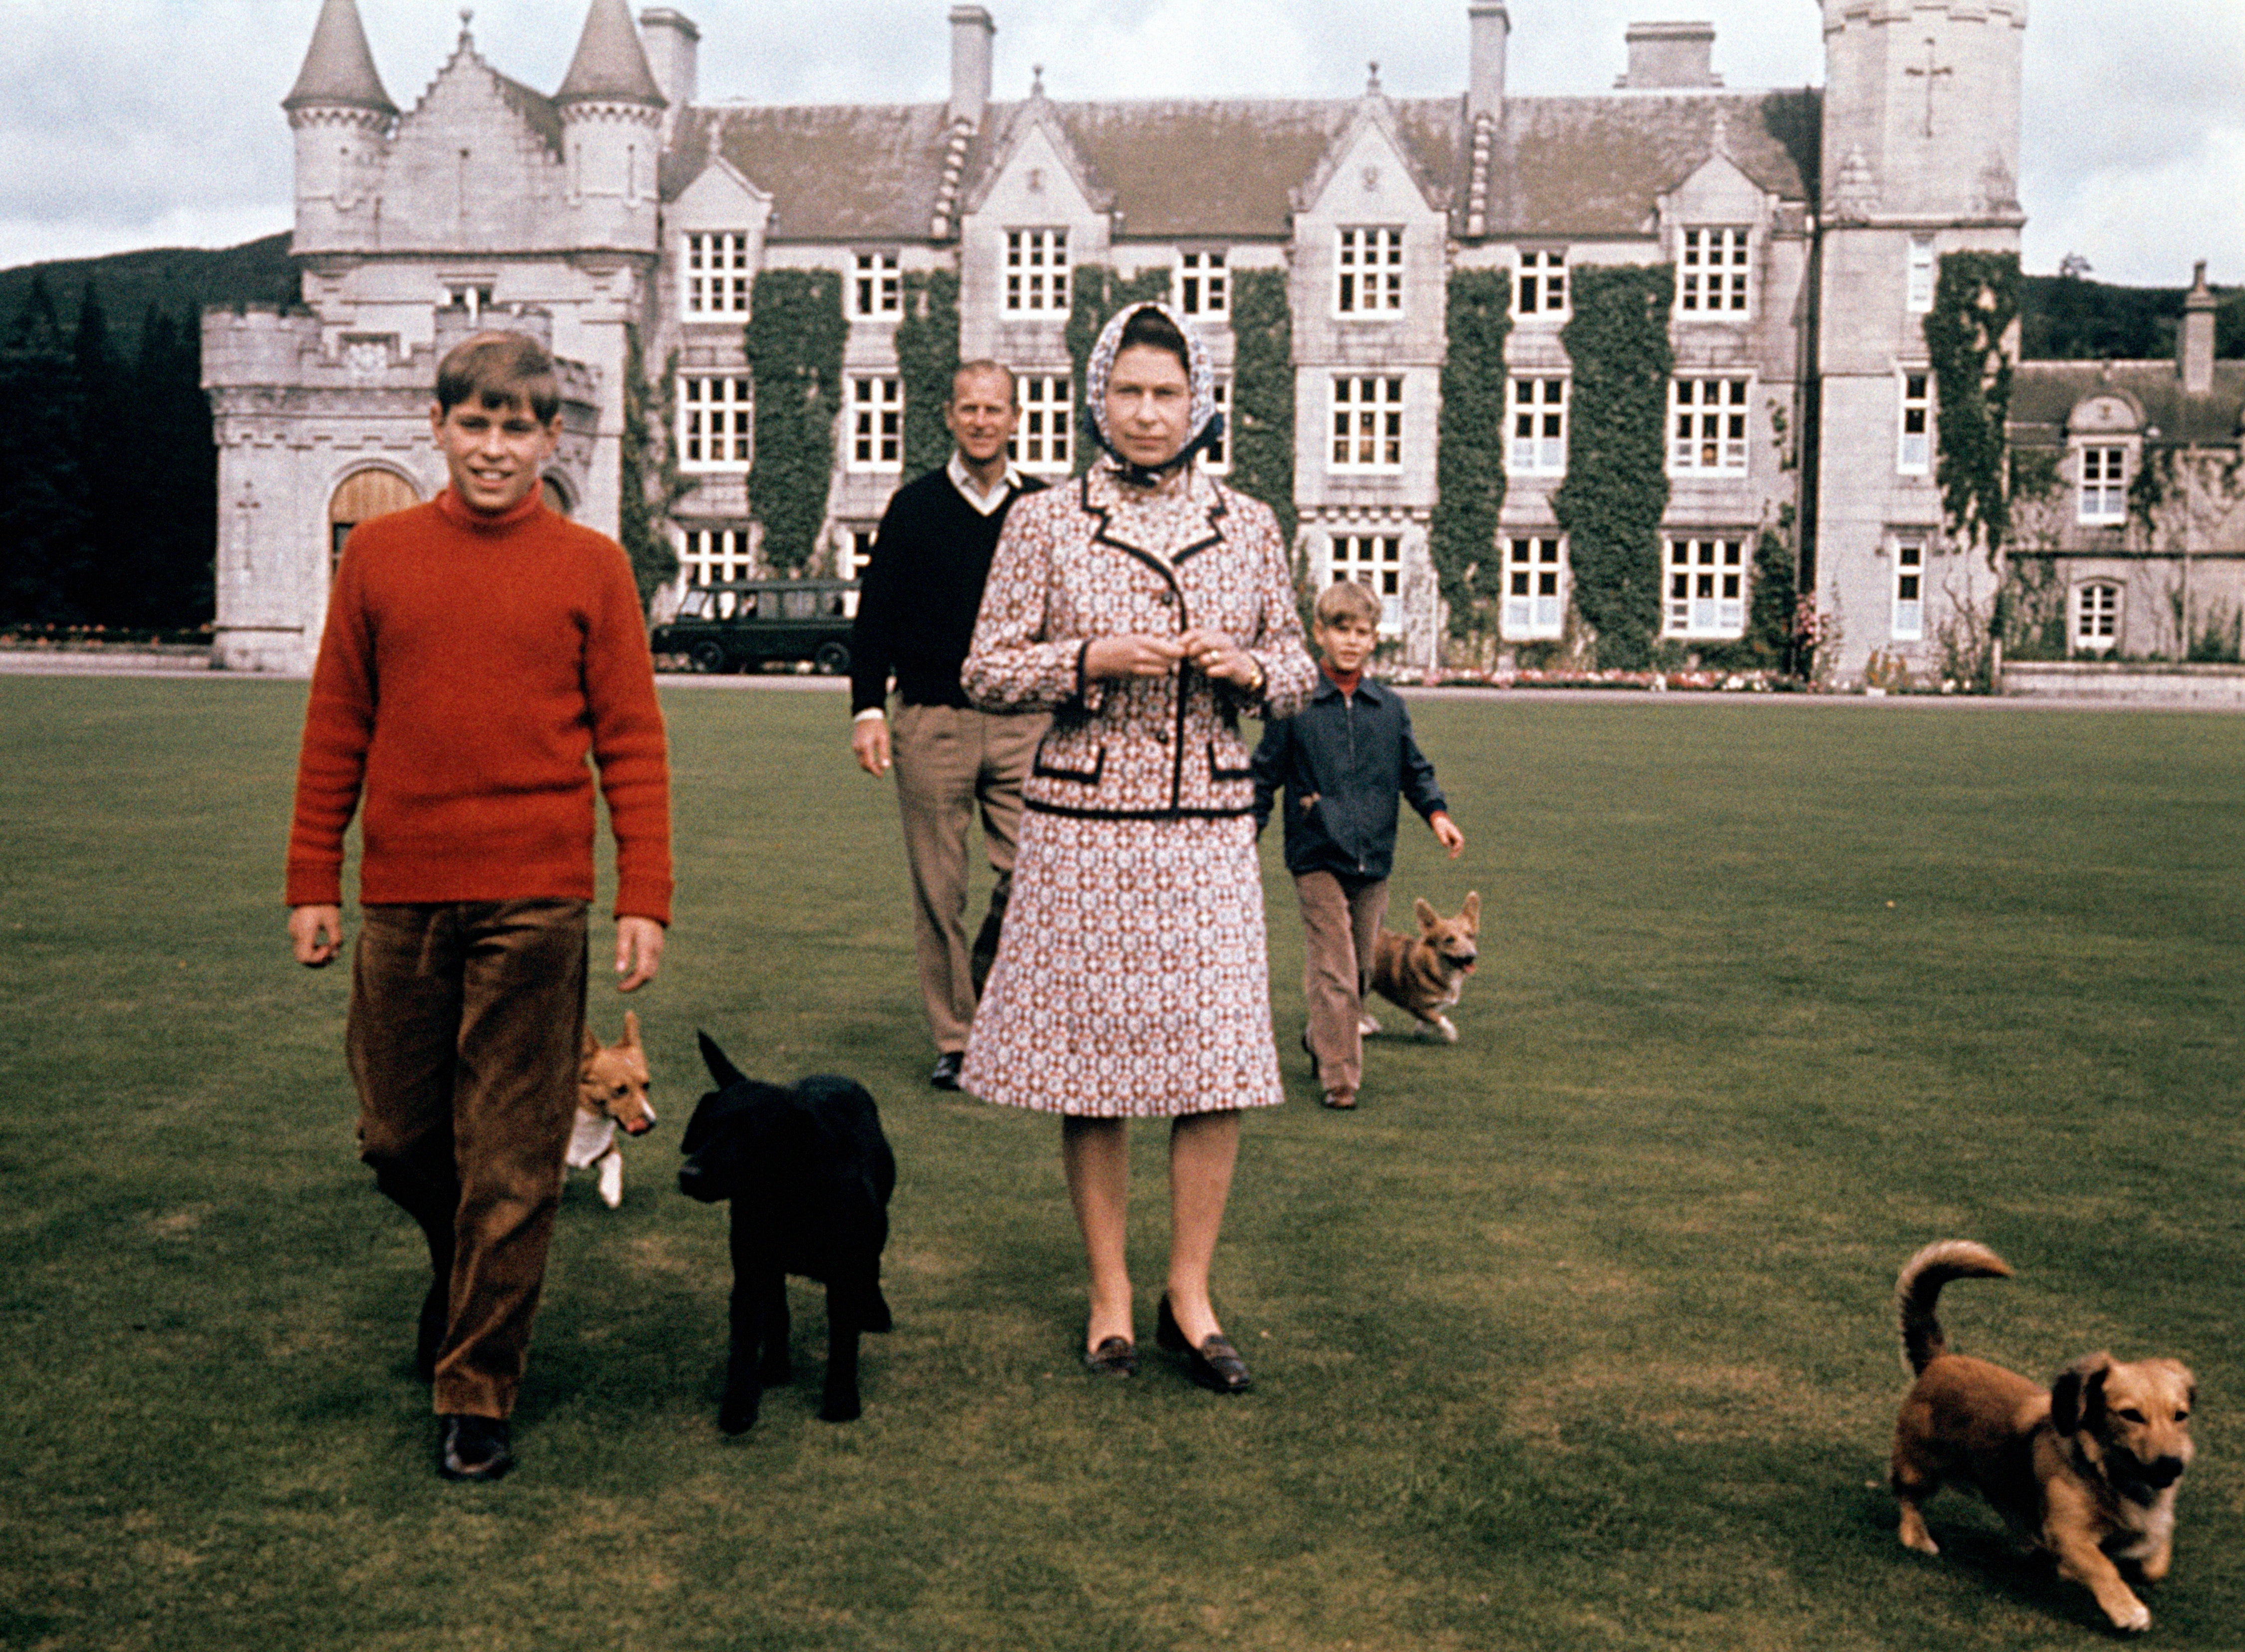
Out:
{"x": 342, "y": 120}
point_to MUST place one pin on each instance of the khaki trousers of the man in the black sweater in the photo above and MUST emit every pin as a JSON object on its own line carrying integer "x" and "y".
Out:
{"x": 949, "y": 762}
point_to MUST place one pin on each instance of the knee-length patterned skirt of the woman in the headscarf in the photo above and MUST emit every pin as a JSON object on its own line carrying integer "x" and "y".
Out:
{"x": 1133, "y": 978}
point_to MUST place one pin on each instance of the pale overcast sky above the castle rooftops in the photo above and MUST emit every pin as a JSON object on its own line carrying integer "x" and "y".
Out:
{"x": 156, "y": 122}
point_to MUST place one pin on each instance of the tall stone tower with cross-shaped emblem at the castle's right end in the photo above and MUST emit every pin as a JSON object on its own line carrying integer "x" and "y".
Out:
{"x": 1921, "y": 158}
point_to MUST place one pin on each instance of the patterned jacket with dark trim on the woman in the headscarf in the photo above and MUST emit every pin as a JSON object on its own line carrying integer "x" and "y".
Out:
{"x": 1070, "y": 573}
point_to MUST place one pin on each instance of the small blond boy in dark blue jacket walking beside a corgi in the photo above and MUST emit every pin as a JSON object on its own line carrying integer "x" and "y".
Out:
{"x": 1344, "y": 764}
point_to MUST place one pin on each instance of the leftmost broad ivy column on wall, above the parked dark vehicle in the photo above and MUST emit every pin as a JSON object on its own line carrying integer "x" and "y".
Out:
{"x": 796, "y": 351}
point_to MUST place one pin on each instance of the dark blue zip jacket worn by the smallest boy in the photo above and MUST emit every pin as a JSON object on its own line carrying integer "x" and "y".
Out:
{"x": 1344, "y": 764}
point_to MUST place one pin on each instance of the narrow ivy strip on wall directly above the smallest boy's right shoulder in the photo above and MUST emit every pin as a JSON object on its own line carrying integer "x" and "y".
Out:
{"x": 1469, "y": 457}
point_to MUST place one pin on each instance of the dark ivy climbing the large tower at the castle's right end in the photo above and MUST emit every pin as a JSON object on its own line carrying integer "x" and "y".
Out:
{"x": 1968, "y": 338}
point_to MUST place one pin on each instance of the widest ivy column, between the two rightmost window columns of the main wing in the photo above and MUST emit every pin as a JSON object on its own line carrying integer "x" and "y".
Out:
{"x": 1618, "y": 484}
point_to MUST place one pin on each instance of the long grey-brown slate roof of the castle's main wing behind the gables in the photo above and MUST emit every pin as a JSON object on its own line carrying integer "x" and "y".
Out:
{"x": 1227, "y": 169}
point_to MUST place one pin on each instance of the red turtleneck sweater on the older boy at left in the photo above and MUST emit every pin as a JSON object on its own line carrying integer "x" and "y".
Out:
{"x": 468, "y": 670}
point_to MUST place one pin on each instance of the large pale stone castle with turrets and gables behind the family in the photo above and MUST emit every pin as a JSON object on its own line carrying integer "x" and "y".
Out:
{"x": 1804, "y": 230}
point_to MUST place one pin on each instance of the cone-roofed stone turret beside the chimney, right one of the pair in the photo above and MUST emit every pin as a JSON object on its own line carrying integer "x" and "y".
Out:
{"x": 612, "y": 134}
